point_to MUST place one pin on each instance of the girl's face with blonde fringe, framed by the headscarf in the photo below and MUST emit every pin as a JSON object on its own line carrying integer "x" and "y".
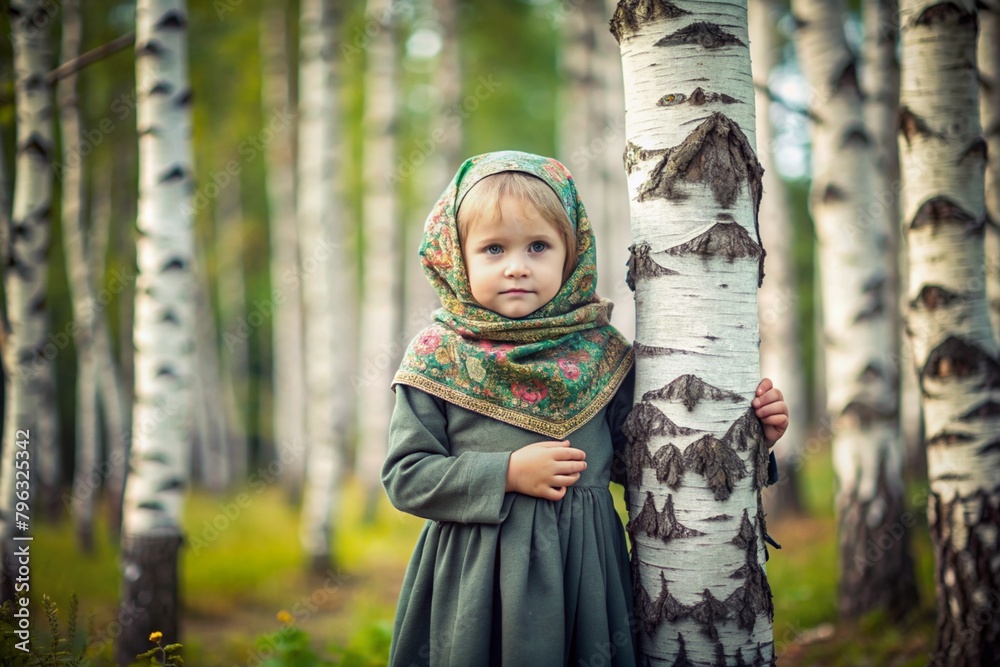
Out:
{"x": 515, "y": 264}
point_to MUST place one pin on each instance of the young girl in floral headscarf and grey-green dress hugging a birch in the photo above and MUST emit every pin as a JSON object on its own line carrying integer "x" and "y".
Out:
{"x": 508, "y": 414}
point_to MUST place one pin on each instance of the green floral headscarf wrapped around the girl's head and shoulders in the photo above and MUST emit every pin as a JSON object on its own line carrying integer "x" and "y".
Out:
{"x": 549, "y": 372}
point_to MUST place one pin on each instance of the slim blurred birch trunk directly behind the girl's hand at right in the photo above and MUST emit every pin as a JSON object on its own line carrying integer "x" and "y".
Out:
{"x": 781, "y": 356}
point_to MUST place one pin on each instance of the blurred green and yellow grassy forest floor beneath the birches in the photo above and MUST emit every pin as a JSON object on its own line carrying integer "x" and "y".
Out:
{"x": 242, "y": 565}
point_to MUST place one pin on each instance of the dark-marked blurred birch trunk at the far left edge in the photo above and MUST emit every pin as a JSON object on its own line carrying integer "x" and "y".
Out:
{"x": 30, "y": 413}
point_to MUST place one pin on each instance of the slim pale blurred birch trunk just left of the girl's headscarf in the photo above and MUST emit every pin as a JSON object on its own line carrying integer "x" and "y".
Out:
{"x": 380, "y": 314}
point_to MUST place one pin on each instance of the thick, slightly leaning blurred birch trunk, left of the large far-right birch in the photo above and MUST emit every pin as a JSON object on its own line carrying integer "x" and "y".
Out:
{"x": 876, "y": 570}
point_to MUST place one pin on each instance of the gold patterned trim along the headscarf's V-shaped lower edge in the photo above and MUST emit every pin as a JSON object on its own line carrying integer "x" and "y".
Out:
{"x": 557, "y": 430}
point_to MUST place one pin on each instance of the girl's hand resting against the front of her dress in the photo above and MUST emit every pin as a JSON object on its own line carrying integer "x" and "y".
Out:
{"x": 545, "y": 469}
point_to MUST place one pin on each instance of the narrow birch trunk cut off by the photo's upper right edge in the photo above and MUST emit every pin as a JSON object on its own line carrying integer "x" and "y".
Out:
{"x": 989, "y": 109}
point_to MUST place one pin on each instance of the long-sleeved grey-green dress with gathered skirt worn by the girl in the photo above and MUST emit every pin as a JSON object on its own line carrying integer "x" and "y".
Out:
{"x": 502, "y": 578}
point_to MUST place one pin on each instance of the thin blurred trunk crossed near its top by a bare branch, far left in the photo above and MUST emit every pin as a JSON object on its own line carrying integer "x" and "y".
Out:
{"x": 71, "y": 205}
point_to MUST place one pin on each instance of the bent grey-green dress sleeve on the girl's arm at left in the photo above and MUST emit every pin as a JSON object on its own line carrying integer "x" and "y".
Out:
{"x": 422, "y": 477}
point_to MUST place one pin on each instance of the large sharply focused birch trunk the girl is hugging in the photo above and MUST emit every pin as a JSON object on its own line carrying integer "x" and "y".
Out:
{"x": 697, "y": 458}
